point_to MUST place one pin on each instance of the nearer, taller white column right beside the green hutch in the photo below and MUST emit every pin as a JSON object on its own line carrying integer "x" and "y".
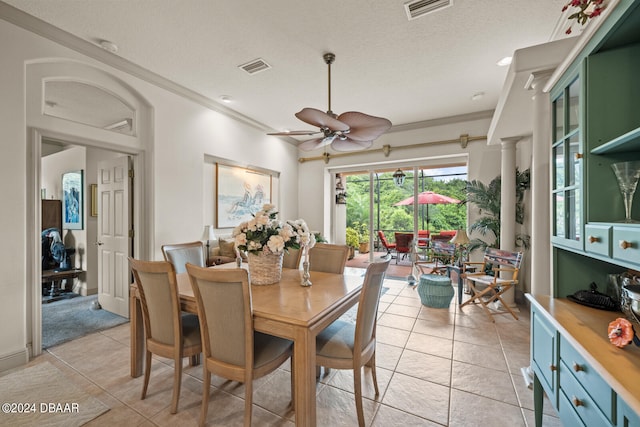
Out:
{"x": 540, "y": 186}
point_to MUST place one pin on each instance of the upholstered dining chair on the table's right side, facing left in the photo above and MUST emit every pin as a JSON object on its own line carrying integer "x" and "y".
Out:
{"x": 345, "y": 345}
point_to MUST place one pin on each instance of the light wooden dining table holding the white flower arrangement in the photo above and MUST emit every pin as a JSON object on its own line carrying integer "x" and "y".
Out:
{"x": 284, "y": 309}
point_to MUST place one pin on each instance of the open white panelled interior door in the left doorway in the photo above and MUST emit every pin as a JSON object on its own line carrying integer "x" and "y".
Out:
{"x": 114, "y": 240}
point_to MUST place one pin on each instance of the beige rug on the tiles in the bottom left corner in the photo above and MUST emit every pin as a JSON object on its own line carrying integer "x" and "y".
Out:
{"x": 42, "y": 395}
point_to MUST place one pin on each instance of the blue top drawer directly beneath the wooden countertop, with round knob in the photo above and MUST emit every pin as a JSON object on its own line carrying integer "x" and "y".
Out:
{"x": 574, "y": 367}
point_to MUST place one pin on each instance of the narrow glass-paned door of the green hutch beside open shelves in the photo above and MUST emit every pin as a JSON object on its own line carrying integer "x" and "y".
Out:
{"x": 567, "y": 166}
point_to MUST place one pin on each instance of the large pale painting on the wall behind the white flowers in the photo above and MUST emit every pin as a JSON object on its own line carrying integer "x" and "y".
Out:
{"x": 240, "y": 193}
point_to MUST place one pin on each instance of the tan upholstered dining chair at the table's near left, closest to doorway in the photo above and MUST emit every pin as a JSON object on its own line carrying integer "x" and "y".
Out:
{"x": 168, "y": 332}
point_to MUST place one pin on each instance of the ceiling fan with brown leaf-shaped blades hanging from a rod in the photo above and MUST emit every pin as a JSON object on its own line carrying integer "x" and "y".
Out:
{"x": 350, "y": 131}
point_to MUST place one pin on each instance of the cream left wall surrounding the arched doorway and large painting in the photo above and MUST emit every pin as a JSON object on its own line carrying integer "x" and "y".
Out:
{"x": 182, "y": 133}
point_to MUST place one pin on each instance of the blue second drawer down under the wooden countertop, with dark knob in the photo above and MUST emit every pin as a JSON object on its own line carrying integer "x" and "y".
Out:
{"x": 573, "y": 395}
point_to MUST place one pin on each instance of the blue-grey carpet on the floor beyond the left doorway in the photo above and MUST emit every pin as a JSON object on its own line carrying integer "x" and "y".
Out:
{"x": 73, "y": 318}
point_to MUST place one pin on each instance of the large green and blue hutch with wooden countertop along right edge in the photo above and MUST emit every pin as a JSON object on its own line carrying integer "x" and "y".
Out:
{"x": 595, "y": 113}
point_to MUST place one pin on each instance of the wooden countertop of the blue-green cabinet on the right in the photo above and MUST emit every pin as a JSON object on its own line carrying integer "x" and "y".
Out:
{"x": 586, "y": 329}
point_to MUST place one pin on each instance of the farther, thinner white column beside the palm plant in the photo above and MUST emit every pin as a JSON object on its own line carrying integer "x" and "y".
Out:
{"x": 508, "y": 203}
